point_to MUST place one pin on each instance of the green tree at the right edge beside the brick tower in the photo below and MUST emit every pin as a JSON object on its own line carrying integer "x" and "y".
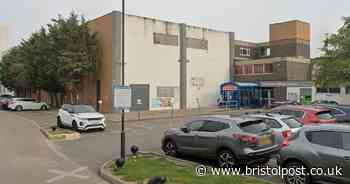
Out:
{"x": 334, "y": 65}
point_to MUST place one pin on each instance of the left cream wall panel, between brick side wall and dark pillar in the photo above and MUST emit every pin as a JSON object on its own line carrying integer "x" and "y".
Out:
{"x": 147, "y": 62}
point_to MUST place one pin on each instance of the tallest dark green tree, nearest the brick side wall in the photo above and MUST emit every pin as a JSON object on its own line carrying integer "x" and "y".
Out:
{"x": 76, "y": 50}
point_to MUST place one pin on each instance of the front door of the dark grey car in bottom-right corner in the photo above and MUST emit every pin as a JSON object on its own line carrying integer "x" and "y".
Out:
{"x": 326, "y": 145}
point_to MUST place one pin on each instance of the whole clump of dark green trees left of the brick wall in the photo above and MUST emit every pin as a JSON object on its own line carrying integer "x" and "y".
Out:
{"x": 54, "y": 59}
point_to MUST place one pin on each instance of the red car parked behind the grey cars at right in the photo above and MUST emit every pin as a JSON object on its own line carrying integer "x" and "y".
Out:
{"x": 307, "y": 114}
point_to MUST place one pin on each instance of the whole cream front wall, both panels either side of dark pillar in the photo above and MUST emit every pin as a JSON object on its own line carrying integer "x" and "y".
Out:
{"x": 152, "y": 54}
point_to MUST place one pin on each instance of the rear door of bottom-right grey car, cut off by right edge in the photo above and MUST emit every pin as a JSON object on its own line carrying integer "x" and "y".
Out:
{"x": 345, "y": 153}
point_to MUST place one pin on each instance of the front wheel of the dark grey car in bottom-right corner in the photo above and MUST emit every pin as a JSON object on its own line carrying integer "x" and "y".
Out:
{"x": 294, "y": 178}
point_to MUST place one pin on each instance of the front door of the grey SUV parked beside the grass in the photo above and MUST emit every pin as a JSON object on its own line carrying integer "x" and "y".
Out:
{"x": 185, "y": 140}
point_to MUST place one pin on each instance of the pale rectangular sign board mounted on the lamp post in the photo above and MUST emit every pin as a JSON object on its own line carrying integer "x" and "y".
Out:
{"x": 122, "y": 97}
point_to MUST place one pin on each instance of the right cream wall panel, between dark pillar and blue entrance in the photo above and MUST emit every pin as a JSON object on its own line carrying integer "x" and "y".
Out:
{"x": 211, "y": 65}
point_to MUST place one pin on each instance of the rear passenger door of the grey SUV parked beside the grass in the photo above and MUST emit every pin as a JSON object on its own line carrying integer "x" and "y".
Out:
{"x": 206, "y": 138}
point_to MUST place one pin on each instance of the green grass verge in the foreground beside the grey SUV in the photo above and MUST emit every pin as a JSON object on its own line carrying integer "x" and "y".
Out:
{"x": 138, "y": 170}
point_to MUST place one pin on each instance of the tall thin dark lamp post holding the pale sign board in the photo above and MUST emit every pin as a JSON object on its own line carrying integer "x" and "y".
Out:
{"x": 122, "y": 134}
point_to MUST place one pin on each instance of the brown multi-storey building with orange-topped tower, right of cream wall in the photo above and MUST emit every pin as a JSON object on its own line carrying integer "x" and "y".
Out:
{"x": 282, "y": 65}
